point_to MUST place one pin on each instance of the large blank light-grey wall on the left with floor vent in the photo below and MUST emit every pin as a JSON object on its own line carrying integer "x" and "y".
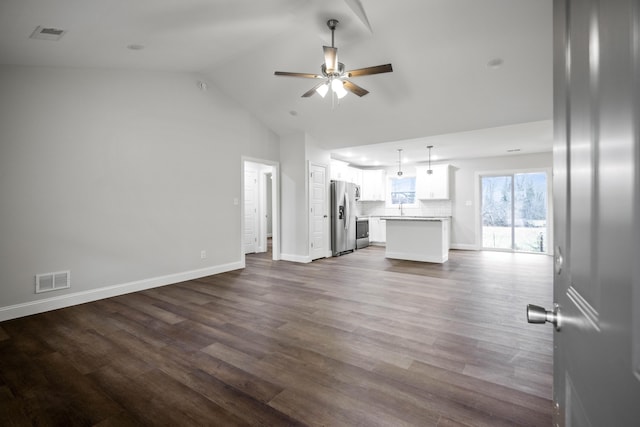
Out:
{"x": 122, "y": 177}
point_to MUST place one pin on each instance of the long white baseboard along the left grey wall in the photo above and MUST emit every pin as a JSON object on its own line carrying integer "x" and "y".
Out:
{"x": 68, "y": 300}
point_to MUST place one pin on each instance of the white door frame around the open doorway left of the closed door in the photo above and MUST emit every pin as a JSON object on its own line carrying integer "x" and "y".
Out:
{"x": 275, "y": 204}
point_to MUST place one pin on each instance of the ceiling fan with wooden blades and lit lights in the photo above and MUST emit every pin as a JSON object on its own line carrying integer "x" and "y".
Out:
{"x": 333, "y": 74}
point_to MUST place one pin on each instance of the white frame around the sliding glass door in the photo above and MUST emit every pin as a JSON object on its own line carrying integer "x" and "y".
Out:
{"x": 478, "y": 204}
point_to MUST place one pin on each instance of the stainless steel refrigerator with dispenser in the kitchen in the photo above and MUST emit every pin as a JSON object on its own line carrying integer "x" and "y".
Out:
{"x": 343, "y": 217}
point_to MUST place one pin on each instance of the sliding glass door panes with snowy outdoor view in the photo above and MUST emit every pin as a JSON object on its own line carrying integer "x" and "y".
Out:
{"x": 515, "y": 212}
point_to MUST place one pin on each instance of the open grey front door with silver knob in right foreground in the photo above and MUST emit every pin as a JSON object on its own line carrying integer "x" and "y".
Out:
{"x": 596, "y": 282}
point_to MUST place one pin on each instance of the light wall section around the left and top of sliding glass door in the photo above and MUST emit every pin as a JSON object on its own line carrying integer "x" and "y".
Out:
{"x": 463, "y": 187}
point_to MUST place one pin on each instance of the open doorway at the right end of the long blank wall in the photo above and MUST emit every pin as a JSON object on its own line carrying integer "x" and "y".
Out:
{"x": 260, "y": 201}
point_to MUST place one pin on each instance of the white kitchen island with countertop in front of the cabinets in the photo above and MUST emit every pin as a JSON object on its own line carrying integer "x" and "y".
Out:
{"x": 412, "y": 238}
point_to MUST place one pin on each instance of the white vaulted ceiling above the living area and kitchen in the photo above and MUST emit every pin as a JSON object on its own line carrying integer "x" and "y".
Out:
{"x": 441, "y": 92}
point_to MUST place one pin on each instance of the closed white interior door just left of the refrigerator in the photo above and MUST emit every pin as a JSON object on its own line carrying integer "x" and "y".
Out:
{"x": 318, "y": 211}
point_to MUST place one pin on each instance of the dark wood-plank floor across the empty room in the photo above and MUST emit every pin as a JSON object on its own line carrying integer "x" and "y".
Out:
{"x": 354, "y": 340}
